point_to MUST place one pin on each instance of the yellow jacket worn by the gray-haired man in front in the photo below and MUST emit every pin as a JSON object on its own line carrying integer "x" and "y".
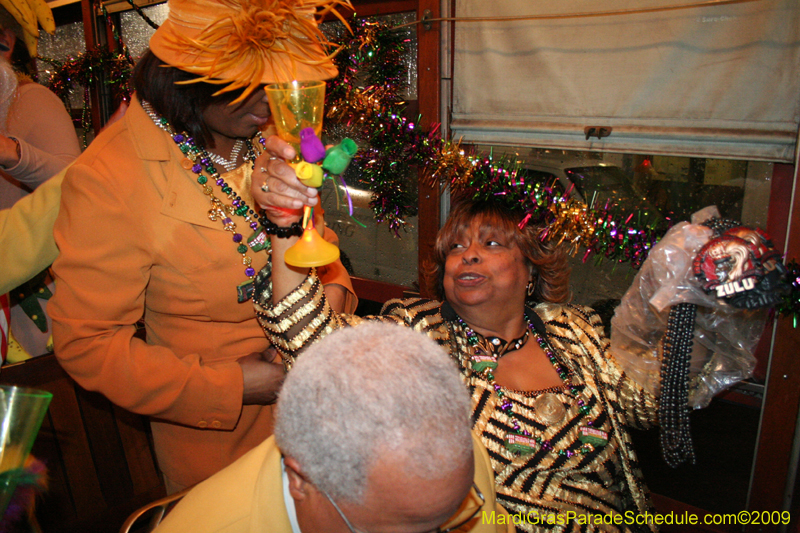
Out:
{"x": 247, "y": 497}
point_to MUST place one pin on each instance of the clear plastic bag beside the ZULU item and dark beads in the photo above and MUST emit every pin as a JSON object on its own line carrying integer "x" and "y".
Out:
{"x": 724, "y": 336}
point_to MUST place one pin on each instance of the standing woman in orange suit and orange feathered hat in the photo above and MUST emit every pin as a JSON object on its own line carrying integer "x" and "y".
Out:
{"x": 156, "y": 222}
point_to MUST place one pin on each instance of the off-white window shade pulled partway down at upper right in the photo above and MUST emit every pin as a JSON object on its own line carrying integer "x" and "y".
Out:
{"x": 719, "y": 81}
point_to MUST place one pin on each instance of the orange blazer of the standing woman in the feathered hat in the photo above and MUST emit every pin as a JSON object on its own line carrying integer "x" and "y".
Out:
{"x": 135, "y": 240}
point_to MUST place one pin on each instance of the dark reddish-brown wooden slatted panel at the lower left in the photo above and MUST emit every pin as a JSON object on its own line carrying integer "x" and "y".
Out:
{"x": 100, "y": 460}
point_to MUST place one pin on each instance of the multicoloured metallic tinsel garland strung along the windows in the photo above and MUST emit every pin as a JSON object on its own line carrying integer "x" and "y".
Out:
{"x": 364, "y": 103}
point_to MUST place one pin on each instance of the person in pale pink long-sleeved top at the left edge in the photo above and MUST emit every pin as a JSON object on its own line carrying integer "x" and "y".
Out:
{"x": 37, "y": 140}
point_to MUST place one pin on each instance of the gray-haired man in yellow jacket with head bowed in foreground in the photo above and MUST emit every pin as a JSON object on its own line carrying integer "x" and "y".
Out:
{"x": 372, "y": 435}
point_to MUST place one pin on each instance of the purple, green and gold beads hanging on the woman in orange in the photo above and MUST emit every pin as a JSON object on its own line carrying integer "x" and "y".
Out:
{"x": 199, "y": 161}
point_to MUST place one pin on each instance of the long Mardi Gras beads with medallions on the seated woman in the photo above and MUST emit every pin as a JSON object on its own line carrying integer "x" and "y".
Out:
{"x": 522, "y": 441}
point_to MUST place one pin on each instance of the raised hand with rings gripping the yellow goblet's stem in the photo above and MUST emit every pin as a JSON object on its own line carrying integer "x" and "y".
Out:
{"x": 275, "y": 186}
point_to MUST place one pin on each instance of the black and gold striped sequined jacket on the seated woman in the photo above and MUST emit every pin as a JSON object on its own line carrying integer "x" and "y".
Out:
{"x": 556, "y": 488}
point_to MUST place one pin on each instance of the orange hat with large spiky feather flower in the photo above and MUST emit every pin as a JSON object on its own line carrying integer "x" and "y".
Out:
{"x": 245, "y": 43}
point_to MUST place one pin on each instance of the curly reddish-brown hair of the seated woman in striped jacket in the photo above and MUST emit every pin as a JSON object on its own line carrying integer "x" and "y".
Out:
{"x": 548, "y": 261}
